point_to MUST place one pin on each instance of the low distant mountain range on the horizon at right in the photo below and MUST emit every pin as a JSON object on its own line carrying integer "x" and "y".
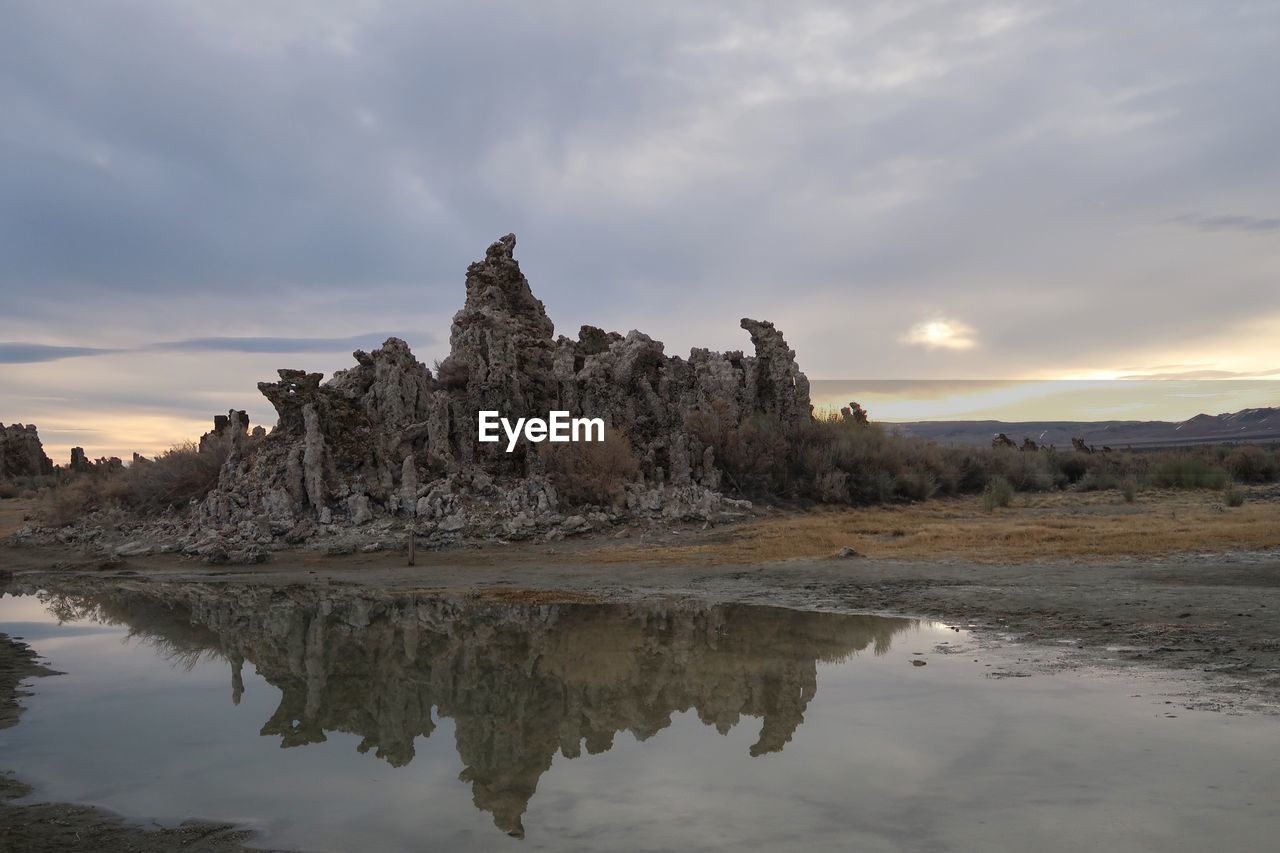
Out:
{"x": 1245, "y": 426}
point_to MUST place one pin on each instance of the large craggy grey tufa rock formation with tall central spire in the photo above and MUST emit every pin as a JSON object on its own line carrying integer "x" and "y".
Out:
{"x": 388, "y": 440}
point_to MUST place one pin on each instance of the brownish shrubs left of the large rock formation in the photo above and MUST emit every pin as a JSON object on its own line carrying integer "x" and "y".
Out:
{"x": 148, "y": 487}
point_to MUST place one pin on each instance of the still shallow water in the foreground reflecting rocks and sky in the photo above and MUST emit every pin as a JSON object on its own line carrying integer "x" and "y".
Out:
{"x": 339, "y": 720}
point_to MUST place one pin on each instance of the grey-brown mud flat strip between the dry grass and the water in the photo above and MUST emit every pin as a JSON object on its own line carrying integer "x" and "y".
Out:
{"x": 1214, "y": 618}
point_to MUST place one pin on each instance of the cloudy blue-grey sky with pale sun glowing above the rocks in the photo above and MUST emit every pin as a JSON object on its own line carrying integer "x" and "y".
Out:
{"x": 196, "y": 194}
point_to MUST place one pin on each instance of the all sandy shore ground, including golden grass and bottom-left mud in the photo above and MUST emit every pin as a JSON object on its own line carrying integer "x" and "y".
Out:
{"x": 1181, "y": 586}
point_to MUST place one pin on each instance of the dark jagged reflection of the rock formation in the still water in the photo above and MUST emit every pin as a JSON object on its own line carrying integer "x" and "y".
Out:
{"x": 522, "y": 682}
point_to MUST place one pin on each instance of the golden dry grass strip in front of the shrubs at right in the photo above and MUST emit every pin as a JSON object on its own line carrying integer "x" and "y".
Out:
{"x": 1076, "y": 526}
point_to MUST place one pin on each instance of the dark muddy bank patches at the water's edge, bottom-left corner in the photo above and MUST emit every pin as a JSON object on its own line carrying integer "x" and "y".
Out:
{"x": 58, "y": 827}
